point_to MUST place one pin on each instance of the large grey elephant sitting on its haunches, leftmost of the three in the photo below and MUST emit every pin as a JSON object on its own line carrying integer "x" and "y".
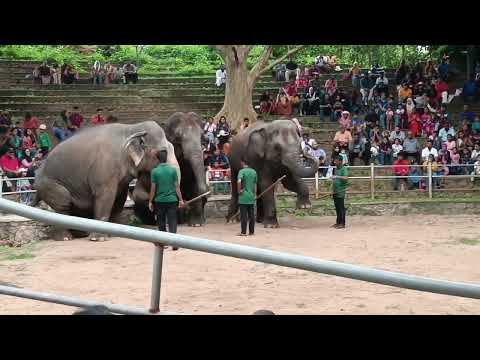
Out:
{"x": 88, "y": 174}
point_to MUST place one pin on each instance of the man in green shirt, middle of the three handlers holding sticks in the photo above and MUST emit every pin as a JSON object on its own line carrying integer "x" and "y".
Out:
{"x": 247, "y": 190}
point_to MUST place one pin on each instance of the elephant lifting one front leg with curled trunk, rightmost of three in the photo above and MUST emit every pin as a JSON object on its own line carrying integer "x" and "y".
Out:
{"x": 273, "y": 150}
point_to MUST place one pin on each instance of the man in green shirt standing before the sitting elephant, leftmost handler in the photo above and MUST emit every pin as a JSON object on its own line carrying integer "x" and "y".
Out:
{"x": 165, "y": 193}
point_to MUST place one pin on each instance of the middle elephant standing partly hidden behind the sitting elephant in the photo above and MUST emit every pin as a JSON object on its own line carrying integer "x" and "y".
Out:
{"x": 184, "y": 131}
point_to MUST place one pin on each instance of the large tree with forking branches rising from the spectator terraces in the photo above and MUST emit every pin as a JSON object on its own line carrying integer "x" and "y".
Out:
{"x": 241, "y": 81}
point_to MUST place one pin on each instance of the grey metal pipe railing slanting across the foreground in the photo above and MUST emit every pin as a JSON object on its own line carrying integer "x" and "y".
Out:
{"x": 160, "y": 239}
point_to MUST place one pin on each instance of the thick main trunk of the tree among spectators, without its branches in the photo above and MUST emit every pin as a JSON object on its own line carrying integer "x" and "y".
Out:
{"x": 238, "y": 92}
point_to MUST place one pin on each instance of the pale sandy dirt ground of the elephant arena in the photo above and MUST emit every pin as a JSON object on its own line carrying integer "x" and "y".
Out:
{"x": 120, "y": 270}
